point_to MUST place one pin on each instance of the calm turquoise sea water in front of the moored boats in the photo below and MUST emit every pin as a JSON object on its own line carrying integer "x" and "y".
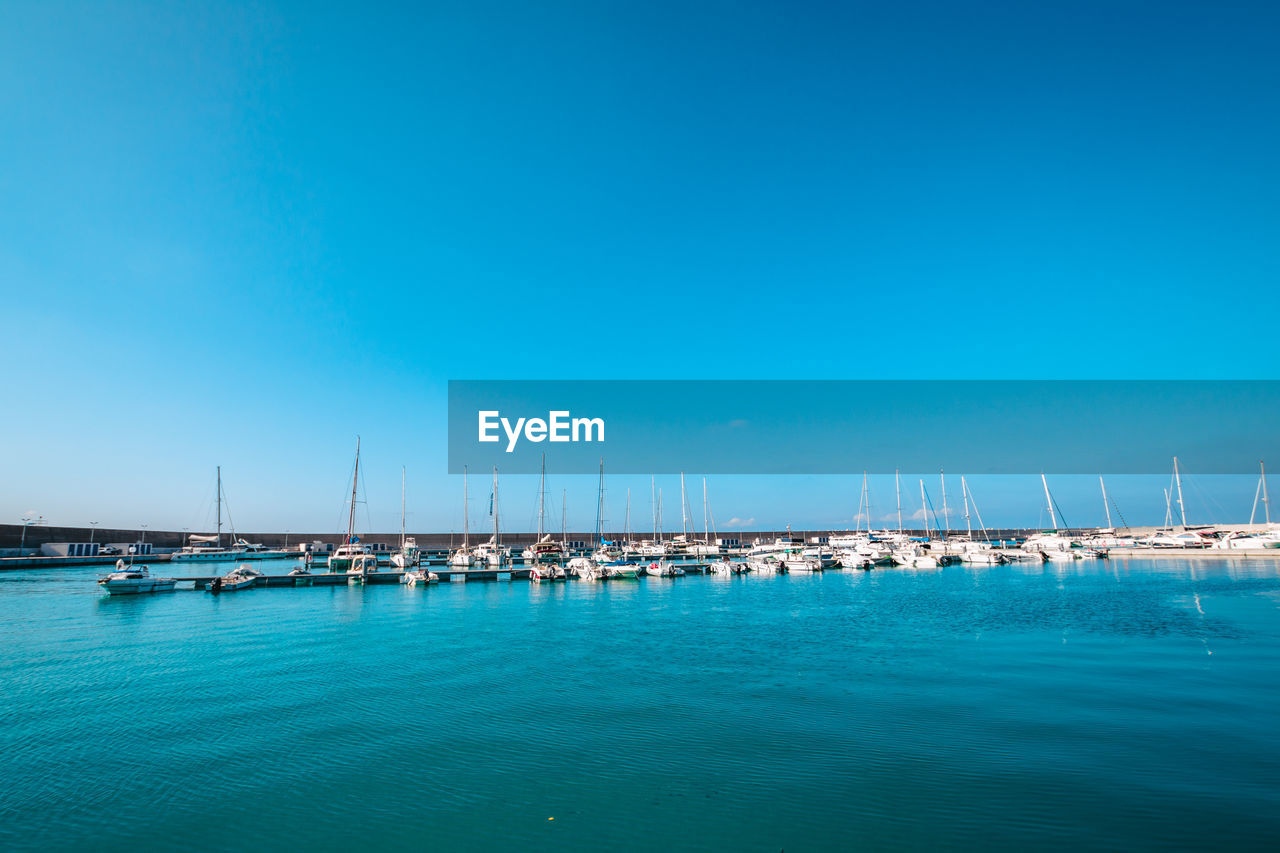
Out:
{"x": 1117, "y": 705}
